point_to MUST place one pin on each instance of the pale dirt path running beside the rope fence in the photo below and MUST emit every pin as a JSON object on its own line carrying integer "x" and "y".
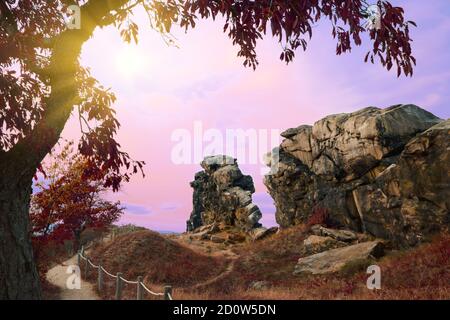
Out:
{"x": 58, "y": 277}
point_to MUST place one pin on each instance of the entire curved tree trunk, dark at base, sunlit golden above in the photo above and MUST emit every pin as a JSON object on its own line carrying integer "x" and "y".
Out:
{"x": 18, "y": 274}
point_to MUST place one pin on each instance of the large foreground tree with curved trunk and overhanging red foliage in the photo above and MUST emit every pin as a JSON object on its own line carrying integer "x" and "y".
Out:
{"x": 42, "y": 83}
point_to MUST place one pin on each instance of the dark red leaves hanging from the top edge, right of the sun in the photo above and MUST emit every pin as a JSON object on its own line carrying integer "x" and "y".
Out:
{"x": 291, "y": 22}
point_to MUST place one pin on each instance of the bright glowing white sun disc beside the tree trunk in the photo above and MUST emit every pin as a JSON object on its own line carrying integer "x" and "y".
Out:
{"x": 130, "y": 61}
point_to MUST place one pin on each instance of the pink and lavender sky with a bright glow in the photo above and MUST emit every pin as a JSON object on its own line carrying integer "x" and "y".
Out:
{"x": 165, "y": 90}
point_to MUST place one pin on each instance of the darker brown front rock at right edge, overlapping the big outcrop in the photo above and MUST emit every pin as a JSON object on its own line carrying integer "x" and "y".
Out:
{"x": 410, "y": 200}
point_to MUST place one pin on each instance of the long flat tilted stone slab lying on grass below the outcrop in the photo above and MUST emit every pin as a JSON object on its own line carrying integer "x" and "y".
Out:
{"x": 333, "y": 260}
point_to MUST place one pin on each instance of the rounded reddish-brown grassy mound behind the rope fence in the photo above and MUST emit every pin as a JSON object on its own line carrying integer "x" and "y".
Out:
{"x": 158, "y": 260}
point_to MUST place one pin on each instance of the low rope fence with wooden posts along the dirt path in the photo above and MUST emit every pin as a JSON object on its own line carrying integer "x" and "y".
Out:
{"x": 119, "y": 280}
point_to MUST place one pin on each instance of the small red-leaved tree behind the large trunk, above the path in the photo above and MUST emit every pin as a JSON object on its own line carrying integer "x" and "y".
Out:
{"x": 68, "y": 202}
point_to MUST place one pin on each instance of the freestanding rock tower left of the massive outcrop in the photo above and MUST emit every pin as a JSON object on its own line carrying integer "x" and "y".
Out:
{"x": 223, "y": 195}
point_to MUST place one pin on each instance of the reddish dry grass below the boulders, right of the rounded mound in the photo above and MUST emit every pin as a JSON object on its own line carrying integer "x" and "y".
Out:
{"x": 421, "y": 273}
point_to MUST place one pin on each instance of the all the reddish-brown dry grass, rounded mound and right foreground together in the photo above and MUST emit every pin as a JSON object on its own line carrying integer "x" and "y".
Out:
{"x": 420, "y": 273}
